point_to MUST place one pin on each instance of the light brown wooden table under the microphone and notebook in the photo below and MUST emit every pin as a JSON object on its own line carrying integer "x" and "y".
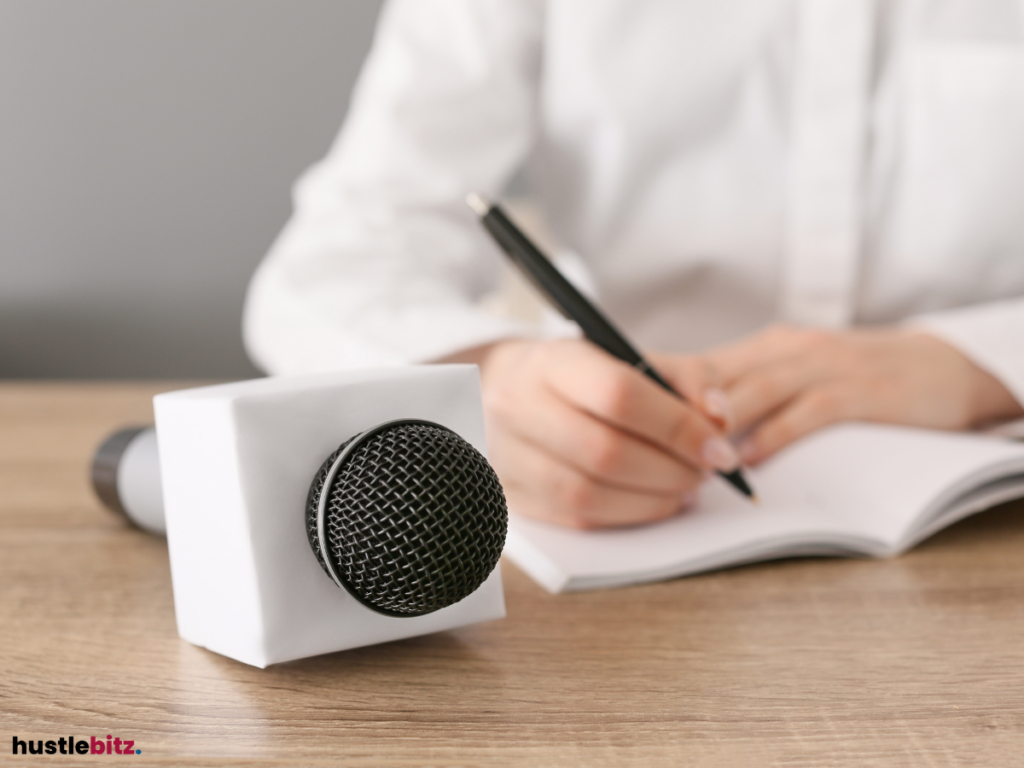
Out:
{"x": 918, "y": 661}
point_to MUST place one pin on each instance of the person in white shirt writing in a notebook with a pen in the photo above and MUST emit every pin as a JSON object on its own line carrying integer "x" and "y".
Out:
{"x": 808, "y": 211}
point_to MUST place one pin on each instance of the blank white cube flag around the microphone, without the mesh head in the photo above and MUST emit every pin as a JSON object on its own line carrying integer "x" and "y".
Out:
{"x": 237, "y": 461}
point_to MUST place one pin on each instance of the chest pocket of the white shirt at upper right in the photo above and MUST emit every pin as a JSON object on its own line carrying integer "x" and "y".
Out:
{"x": 957, "y": 230}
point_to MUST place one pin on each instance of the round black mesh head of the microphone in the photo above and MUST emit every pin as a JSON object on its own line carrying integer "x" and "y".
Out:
{"x": 408, "y": 518}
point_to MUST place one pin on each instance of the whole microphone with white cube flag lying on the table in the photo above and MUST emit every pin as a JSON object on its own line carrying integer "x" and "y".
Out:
{"x": 316, "y": 514}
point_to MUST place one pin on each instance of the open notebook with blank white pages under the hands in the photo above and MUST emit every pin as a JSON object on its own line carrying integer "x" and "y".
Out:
{"x": 850, "y": 490}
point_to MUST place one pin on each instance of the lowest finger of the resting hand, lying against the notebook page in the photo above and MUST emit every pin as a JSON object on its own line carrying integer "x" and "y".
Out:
{"x": 810, "y": 411}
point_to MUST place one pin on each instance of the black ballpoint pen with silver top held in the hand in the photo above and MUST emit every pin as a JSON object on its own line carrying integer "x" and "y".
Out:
{"x": 573, "y": 305}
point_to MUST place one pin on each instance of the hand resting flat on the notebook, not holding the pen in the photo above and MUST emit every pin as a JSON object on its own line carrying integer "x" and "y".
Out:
{"x": 786, "y": 382}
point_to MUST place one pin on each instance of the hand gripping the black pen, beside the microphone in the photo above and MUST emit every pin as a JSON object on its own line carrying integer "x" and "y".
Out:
{"x": 583, "y": 440}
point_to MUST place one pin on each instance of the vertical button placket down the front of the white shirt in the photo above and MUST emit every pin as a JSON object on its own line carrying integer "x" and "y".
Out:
{"x": 830, "y": 125}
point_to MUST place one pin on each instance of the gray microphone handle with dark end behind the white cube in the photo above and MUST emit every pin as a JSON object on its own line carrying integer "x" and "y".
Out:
{"x": 126, "y": 478}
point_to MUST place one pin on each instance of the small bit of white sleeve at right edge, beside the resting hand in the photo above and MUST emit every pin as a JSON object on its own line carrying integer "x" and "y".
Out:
{"x": 991, "y": 334}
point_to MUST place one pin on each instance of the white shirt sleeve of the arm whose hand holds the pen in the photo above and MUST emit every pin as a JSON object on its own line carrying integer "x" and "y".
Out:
{"x": 382, "y": 263}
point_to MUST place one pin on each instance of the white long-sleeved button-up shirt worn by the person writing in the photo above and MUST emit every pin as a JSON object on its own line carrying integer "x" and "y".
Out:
{"x": 718, "y": 165}
